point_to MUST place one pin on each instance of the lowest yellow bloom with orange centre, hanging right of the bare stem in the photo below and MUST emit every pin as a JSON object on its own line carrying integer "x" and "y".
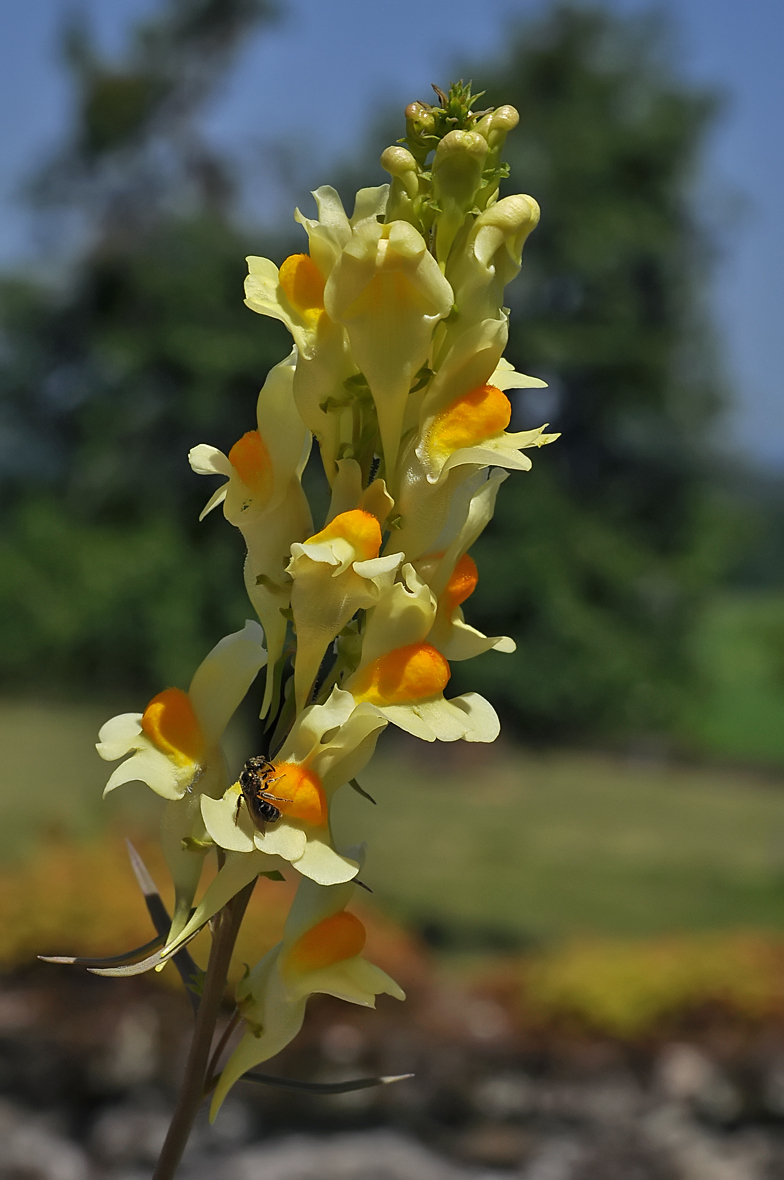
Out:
{"x": 321, "y": 953}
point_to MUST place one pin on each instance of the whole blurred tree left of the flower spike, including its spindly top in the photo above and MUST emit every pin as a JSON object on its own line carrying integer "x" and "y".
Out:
{"x": 112, "y": 372}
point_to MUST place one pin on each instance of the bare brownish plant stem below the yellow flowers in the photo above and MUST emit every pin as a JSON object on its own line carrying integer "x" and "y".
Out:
{"x": 226, "y": 929}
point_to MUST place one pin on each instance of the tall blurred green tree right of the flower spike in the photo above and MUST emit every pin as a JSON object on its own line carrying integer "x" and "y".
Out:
{"x": 600, "y": 560}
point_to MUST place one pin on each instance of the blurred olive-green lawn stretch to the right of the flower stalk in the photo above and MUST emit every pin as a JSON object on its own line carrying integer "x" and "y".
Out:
{"x": 559, "y": 844}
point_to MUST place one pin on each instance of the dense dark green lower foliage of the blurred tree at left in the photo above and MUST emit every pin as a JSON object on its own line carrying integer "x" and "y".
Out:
{"x": 108, "y": 579}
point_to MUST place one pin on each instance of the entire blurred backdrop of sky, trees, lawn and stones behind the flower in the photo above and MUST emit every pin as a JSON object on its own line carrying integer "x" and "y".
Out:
{"x": 589, "y": 916}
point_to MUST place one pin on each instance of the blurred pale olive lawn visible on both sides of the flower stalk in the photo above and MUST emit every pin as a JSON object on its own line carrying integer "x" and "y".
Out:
{"x": 485, "y": 848}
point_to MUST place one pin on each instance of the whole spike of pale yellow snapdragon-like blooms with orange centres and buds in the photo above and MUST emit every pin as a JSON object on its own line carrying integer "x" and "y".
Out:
{"x": 398, "y": 375}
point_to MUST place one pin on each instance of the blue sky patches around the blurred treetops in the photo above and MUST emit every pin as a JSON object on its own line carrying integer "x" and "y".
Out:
{"x": 324, "y": 67}
